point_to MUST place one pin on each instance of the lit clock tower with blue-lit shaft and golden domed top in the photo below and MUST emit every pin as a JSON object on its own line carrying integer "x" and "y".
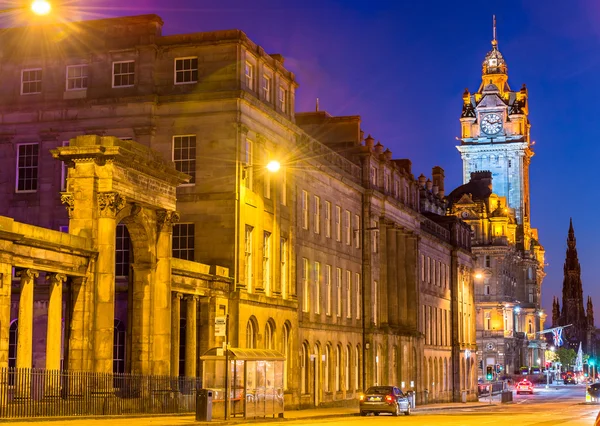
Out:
{"x": 495, "y": 134}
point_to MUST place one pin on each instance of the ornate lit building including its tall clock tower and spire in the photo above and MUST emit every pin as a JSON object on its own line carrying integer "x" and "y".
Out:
{"x": 496, "y": 150}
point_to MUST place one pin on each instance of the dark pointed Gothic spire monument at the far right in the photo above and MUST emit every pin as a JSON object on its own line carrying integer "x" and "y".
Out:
{"x": 580, "y": 320}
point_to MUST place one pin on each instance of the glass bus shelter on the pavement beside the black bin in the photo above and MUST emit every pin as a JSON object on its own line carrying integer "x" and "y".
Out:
{"x": 255, "y": 382}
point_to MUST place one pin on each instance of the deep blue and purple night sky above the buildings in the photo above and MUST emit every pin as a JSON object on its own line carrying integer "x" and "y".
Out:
{"x": 403, "y": 66}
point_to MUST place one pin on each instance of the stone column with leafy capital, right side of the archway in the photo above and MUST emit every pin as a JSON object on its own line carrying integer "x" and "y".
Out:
{"x": 161, "y": 295}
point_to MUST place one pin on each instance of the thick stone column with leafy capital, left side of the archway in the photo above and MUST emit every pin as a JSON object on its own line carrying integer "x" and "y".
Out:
{"x": 109, "y": 204}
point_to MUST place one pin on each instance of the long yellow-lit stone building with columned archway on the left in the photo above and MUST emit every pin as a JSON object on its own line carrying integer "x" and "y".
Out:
{"x": 342, "y": 261}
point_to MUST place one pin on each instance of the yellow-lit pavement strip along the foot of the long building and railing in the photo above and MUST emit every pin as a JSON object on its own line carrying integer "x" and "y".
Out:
{"x": 189, "y": 420}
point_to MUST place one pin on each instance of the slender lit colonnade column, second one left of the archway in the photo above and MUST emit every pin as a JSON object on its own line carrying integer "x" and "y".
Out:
{"x": 25, "y": 328}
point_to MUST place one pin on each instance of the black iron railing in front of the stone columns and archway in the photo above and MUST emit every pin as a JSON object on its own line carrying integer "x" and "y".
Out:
{"x": 26, "y": 393}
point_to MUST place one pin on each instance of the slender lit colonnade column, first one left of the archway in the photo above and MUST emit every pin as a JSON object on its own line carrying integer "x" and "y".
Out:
{"x": 54, "y": 331}
